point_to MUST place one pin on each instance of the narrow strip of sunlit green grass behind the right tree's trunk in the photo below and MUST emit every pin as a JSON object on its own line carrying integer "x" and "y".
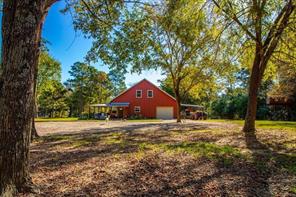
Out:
{"x": 266, "y": 124}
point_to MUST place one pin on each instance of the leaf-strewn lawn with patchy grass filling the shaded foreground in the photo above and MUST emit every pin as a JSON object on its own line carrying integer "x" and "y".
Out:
{"x": 167, "y": 159}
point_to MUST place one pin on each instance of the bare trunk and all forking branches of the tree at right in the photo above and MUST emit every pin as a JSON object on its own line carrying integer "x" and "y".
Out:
{"x": 264, "y": 49}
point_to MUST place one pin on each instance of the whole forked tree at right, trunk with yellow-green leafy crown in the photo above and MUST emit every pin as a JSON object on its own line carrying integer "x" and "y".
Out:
{"x": 262, "y": 24}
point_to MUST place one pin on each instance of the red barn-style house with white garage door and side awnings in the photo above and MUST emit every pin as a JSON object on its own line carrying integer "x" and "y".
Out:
{"x": 144, "y": 100}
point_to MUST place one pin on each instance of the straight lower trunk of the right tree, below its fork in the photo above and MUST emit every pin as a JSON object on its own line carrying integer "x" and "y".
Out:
{"x": 254, "y": 83}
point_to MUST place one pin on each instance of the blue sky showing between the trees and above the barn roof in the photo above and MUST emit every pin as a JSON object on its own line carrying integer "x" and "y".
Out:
{"x": 68, "y": 46}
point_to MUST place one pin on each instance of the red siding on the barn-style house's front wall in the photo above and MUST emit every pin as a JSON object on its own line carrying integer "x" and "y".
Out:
{"x": 148, "y": 105}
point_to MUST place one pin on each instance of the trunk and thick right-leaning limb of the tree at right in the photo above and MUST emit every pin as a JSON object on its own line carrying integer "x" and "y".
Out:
{"x": 262, "y": 56}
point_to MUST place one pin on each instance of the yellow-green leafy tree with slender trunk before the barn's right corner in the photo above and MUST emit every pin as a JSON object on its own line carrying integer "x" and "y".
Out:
{"x": 172, "y": 36}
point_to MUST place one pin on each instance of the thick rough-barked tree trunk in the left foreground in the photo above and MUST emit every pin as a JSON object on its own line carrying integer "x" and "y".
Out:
{"x": 22, "y": 24}
